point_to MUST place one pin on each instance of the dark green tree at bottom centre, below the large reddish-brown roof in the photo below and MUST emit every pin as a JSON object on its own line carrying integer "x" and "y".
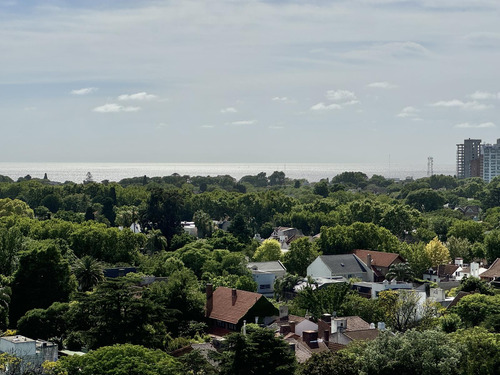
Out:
{"x": 259, "y": 352}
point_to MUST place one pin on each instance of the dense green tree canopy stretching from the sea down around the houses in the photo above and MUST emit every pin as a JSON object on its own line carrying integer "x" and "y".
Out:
{"x": 56, "y": 240}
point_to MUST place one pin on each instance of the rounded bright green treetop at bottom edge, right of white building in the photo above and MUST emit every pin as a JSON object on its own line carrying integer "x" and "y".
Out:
{"x": 119, "y": 360}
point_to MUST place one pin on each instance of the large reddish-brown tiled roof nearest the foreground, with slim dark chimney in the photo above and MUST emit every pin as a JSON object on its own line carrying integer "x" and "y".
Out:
{"x": 231, "y": 309}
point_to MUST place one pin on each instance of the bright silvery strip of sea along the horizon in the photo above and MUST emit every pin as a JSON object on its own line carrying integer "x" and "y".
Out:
{"x": 313, "y": 172}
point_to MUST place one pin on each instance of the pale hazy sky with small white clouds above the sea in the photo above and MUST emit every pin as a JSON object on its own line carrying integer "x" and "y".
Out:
{"x": 340, "y": 81}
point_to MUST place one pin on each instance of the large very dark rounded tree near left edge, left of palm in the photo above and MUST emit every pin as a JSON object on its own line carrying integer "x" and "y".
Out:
{"x": 43, "y": 277}
